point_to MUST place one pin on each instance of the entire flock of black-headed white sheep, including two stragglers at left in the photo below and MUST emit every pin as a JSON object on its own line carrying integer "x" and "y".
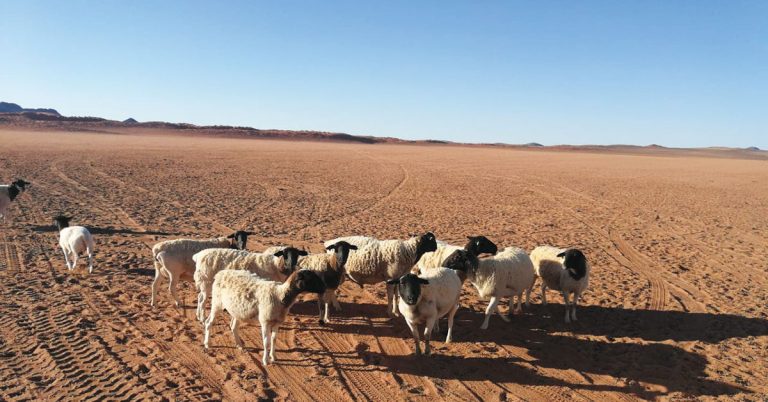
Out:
{"x": 423, "y": 276}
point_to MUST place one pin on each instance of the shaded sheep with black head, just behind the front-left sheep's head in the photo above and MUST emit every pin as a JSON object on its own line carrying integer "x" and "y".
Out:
{"x": 330, "y": 267}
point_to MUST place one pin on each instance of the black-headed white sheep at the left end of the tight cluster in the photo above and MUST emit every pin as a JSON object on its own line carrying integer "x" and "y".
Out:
{"x": 173, "y": 259}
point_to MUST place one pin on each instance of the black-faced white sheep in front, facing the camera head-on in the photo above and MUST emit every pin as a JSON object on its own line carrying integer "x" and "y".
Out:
{"x": 426, "y": 298}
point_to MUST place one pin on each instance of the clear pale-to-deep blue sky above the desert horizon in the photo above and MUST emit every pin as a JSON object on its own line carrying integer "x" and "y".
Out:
{"x": 676, "y": 73}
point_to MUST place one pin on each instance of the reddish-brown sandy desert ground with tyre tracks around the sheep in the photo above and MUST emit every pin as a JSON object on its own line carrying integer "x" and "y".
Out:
{"x": 677, "y": 306}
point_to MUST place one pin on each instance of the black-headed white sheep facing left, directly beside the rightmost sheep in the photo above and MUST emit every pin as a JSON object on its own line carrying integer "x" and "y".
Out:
{"x": 508, "y": 273}
